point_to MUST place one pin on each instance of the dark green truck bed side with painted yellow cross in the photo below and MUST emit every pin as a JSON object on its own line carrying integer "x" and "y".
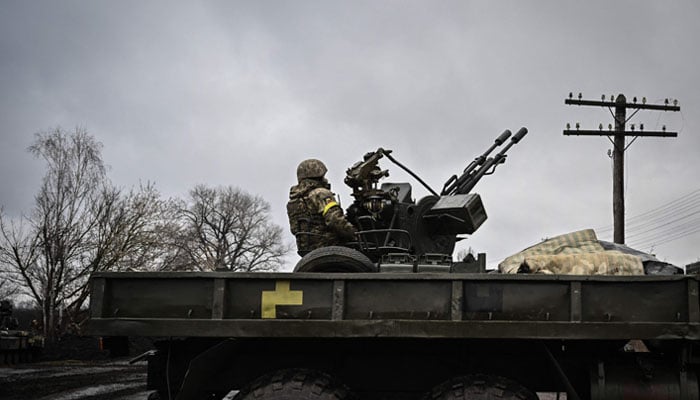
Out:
{"x": 411, "y": 305}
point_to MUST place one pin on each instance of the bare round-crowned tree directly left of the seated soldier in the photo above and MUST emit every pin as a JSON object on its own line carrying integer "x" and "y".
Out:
{"x": 228, "y": 228}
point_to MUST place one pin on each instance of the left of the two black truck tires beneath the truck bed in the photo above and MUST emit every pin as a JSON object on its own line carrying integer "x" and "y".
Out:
{"x": 295, "y": 384}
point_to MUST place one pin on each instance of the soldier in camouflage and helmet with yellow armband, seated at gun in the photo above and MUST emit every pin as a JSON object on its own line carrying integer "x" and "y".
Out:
{"x": 315, "y": 218}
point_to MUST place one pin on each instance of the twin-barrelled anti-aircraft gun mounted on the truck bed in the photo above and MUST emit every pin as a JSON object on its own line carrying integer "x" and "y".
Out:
{"x": 394, "y": 228}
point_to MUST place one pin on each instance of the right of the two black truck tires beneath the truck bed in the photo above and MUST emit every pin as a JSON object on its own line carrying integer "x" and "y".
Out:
{"x": 480, "y": 387}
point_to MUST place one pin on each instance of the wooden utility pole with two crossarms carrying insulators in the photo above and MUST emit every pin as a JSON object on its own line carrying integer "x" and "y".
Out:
{"x": 619, "y": 146}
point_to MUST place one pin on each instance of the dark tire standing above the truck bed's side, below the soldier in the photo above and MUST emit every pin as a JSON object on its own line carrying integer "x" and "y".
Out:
{"x": 335, "y": 259}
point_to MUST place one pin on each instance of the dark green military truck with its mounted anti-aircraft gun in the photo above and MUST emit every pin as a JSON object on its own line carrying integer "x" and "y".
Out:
{"x": 392, "y": 316}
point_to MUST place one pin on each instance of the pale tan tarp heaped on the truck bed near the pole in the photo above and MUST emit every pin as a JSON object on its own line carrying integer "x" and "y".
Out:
{"x": 575, "y": 253}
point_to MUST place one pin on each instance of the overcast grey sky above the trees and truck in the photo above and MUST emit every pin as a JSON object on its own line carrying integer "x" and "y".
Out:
{"x": 237, "y": 93}
